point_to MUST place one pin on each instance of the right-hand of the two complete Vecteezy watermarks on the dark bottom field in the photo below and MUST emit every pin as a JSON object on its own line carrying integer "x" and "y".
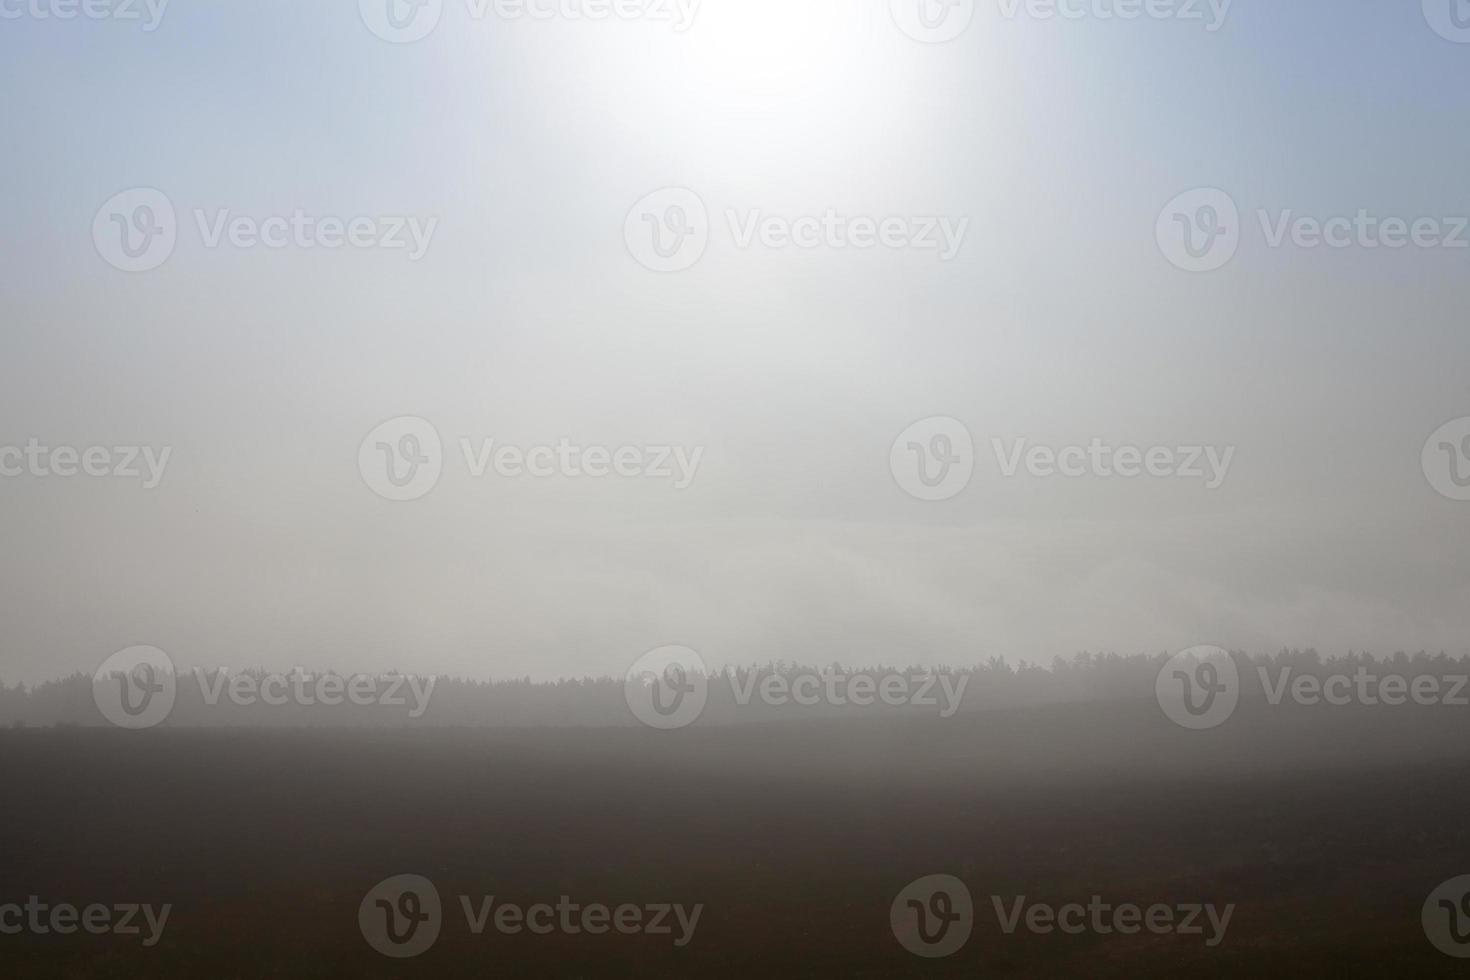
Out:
{"x": 934, "y": 918}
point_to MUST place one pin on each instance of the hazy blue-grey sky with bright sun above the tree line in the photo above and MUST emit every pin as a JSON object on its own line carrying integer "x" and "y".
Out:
{"x": 531, "y": 321}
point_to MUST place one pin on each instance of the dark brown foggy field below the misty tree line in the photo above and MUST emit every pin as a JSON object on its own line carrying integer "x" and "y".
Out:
{"x": 1325, "y": 829}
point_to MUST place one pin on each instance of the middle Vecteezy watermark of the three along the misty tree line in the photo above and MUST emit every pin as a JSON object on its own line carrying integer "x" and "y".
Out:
{"x": 670, "y": 688}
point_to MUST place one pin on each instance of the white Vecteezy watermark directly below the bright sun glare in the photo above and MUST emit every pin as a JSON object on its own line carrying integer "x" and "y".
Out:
{"x": 670, "y": 231}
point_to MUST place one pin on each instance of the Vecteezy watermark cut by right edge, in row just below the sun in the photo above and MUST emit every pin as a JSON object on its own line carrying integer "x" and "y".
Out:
{"x": 1200, "y": 231}
